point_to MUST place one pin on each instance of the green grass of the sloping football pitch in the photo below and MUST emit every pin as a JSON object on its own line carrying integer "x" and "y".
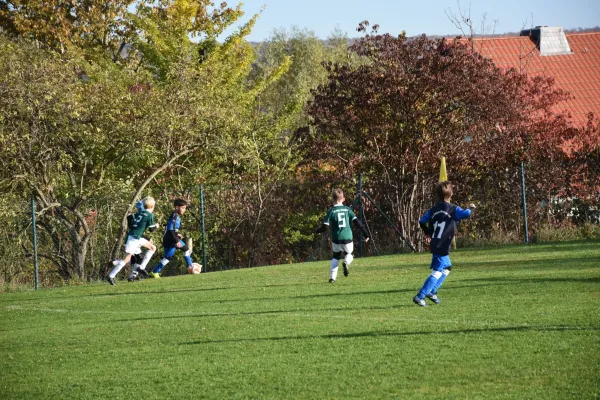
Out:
{"x": 516, "y": 322}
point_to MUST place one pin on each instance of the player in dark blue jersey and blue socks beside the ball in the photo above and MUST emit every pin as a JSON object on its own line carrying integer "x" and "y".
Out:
{"x": 172, "y": 240}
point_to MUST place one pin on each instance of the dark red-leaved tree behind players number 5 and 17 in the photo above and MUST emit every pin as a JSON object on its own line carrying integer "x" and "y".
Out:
{"x": 414, "y": 100}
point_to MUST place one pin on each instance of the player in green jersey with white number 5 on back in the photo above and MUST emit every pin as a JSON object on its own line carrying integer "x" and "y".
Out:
{"x": 338, "y": 220}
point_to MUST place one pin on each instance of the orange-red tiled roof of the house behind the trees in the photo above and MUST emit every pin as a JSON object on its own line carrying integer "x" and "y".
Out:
{"x": 578, "y": 73}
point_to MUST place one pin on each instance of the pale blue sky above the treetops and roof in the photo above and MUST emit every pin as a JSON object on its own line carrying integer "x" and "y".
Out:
{"x": 414, "y": 16}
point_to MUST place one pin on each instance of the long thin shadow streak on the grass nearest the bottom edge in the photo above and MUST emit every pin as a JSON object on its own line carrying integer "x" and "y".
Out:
{"x": 525, "y": 328}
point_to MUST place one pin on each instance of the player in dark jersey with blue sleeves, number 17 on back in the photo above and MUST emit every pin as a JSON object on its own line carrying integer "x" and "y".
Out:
{"x": 439, "y": 224}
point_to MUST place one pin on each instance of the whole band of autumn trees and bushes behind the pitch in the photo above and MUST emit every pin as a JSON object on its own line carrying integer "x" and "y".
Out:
{"x": 102, "y": 103}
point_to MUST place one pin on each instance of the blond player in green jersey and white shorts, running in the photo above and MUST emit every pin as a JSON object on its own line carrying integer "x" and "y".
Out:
{"x": 138, "y": 223}
